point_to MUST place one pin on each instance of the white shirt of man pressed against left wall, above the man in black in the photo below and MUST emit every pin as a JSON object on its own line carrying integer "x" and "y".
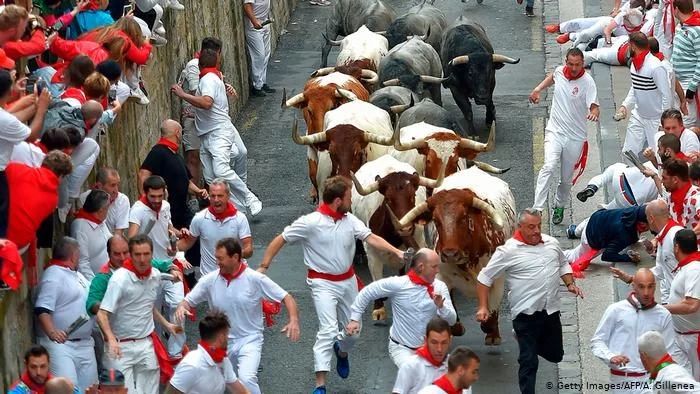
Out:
{"x": 216, "y": 117}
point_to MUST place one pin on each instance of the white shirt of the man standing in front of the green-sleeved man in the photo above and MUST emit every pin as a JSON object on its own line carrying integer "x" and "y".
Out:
{"x": 130, "y": 302}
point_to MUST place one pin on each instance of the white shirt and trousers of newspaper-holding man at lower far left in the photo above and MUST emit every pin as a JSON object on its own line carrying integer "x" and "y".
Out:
{"x": 64, "y": 292}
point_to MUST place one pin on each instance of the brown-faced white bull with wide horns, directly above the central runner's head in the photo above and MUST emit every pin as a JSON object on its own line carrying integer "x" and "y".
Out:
{"x": 354, "y": 133}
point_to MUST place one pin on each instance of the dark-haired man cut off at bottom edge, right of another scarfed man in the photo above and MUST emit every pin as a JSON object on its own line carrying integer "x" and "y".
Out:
{"x": 462, "y": 373}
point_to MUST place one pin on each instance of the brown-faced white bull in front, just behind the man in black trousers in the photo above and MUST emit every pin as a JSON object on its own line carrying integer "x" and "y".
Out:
{"x": 473, "y": 213}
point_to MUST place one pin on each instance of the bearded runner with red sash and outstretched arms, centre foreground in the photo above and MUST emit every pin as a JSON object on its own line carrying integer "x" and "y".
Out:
{"x": 328, "y": 237}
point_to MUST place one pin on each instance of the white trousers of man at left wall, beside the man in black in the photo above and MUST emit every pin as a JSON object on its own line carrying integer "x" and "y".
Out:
{"x": 224, "y": 156}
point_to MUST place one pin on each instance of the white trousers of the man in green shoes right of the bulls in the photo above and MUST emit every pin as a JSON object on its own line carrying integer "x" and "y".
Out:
{"x": 557, "y": 150}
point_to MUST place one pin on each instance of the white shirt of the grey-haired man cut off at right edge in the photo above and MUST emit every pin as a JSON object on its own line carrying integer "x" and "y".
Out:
{"x": 686, "y": 283}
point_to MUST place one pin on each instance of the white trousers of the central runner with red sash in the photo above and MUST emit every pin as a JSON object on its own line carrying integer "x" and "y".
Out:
{"x": 332, "y": 301}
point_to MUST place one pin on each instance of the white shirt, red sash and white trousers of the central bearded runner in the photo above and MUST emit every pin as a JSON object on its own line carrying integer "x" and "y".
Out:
{"x": 329, "y": 248}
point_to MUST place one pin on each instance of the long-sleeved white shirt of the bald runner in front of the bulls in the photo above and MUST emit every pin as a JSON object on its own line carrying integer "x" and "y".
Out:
{"x": 411, "y": 305}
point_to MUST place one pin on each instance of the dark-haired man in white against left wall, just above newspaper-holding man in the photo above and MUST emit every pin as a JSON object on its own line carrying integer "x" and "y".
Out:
{"x": 90, "y": 230}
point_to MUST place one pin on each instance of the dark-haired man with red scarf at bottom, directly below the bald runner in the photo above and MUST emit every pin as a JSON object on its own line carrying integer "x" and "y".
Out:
{"x": 429, "y": 362}
